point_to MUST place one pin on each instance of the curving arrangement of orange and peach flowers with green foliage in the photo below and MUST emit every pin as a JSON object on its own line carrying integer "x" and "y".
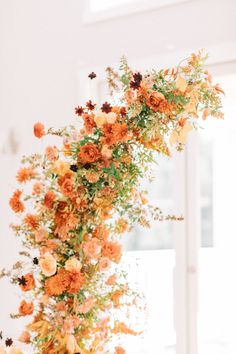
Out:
{"x": 84, "y": 194}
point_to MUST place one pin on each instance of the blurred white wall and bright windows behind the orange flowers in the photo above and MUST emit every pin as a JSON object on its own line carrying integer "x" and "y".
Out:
{"x": 186, "y": 269}
